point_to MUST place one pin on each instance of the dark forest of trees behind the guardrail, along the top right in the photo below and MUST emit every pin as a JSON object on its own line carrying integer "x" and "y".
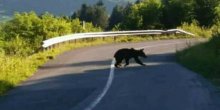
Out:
{"x": 151, "y": 14}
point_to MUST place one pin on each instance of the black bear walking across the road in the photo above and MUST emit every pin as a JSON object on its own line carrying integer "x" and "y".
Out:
{"x": 126, "y": 54}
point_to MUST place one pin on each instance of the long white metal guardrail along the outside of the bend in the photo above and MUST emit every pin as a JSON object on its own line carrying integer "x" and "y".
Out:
{"x": 70, "y": 37}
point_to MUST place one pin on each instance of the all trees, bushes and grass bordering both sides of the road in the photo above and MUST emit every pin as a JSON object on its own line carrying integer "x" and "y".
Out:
{"x": 21, "y": 37}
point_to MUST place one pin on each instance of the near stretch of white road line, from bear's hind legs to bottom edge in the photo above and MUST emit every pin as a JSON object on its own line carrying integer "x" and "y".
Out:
{"x": 106, "y": 88}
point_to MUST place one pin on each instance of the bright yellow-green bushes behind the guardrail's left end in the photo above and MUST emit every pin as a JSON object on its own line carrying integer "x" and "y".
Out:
{"x": 23, "y": 35}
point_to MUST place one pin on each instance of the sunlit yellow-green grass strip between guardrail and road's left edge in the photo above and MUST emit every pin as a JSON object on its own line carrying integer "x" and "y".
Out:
{"x": 15, "y": 69}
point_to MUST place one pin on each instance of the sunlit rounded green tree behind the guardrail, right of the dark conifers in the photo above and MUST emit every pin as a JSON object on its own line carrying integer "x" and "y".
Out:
{"x": 144, "y": 15}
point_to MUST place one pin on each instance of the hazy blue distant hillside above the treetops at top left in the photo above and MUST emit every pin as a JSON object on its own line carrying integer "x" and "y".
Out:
{"x": 57, "y": 7}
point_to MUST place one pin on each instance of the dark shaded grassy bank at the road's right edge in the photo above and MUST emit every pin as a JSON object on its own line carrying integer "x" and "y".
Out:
{"x": 203, "y": 59}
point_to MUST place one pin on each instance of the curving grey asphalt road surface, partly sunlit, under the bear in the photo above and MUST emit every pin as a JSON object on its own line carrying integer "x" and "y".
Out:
{"x": 75, "y": 80}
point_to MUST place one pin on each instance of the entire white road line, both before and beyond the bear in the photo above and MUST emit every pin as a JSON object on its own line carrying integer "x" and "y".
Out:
{"x": 111, "y": 77}
